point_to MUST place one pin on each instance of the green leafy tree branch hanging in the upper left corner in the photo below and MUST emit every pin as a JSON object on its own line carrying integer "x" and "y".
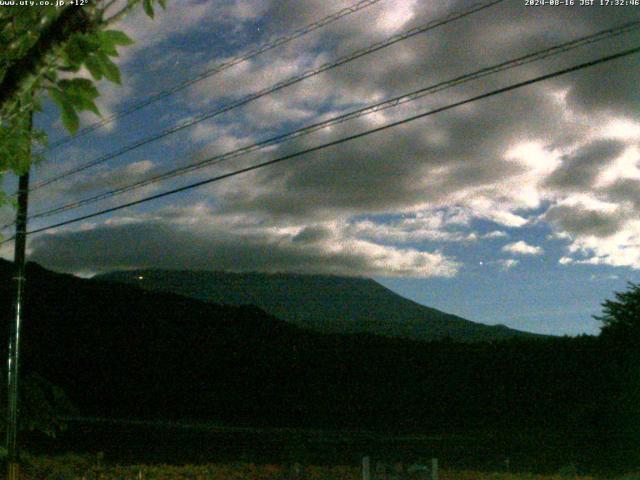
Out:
{"x": 46, "y": 48}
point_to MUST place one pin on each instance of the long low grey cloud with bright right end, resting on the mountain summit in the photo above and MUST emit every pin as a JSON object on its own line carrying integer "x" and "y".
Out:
{"x": 194, "y": 238}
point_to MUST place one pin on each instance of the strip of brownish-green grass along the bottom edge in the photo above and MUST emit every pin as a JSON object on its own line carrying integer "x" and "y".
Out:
{"x": 73, "y": 467}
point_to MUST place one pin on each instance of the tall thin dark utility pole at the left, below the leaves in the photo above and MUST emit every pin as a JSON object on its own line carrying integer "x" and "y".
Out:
{"x": 14, "y": 328}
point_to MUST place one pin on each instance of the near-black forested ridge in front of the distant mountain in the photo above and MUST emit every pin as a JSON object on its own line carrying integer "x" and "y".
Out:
{"x": 119, "y": 351}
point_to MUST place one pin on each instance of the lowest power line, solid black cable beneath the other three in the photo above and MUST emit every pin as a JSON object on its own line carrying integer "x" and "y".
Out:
{"x": 300, "y": 153}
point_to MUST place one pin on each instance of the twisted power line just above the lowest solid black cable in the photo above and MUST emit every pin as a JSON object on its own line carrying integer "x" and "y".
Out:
{"x": 377, "y": 107}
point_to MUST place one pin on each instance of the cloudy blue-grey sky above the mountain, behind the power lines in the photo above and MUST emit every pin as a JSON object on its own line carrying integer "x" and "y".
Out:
{"x": 521, "y": 209}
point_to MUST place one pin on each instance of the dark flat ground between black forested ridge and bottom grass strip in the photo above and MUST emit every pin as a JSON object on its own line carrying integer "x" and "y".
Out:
{"x": 164, "y": 443}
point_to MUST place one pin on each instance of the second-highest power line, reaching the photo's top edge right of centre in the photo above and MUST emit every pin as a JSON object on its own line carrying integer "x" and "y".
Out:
{"x": 272, "y": 89}
